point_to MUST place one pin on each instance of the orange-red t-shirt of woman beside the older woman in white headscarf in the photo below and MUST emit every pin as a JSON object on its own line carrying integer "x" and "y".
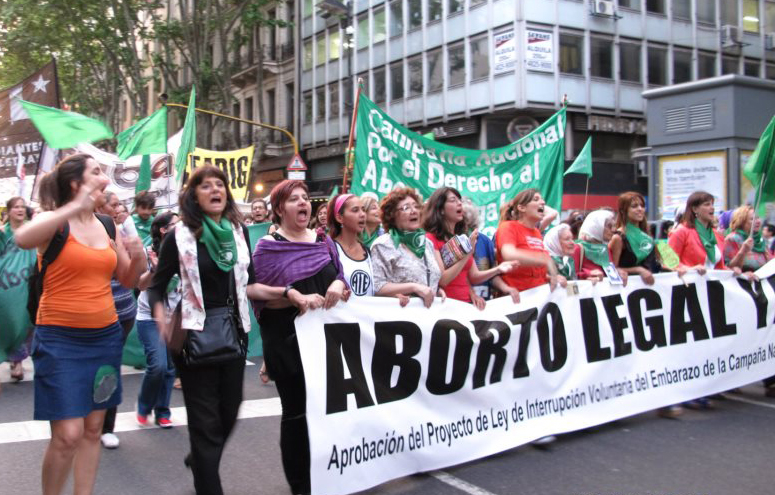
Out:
{"x": 513, "y": 232}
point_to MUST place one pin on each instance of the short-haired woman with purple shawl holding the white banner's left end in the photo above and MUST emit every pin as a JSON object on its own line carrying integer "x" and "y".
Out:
{"x": 300, "y": 260}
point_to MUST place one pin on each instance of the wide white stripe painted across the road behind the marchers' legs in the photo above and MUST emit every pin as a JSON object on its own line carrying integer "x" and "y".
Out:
{"x": 26, "y": 431}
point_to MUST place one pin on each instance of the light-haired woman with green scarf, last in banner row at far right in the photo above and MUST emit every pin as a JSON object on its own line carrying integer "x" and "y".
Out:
{"x": 750, "y": 252}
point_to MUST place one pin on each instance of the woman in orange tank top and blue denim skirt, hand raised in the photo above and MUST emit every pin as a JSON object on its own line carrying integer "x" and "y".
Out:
{"x": 77, "y": 344}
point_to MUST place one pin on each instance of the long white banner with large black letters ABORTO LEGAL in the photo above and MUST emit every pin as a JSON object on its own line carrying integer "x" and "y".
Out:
{"x": 393, "y": 391}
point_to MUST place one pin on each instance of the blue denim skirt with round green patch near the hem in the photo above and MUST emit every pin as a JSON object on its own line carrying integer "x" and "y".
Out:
{"x": 77, "y": 370}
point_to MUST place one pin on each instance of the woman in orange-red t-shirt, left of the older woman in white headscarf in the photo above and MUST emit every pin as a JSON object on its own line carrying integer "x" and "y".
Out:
{"x": 518, "y": 239}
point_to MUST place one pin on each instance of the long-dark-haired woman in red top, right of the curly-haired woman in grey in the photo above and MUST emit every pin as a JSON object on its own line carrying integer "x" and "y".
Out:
{"x": 443, "y": 219}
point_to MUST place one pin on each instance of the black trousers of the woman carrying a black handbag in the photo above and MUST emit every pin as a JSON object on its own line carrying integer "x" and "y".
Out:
{"x": 212, "y": 395}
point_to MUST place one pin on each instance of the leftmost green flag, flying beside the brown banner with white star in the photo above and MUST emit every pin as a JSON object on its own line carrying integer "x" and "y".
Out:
{"x": 63, "y": 129}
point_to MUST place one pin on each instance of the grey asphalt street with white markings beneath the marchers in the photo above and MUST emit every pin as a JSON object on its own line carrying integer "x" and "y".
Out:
{"x": 725, "y": 451}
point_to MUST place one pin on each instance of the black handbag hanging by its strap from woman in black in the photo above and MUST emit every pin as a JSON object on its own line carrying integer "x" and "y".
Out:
{"x": 222, "y": 339}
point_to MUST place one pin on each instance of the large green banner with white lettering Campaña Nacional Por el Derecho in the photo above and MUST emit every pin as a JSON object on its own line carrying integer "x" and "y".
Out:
{"x": 389, "y": 155}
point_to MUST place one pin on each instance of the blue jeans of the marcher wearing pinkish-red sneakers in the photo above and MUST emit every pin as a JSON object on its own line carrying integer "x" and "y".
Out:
{"x": 159, "y": 375}
